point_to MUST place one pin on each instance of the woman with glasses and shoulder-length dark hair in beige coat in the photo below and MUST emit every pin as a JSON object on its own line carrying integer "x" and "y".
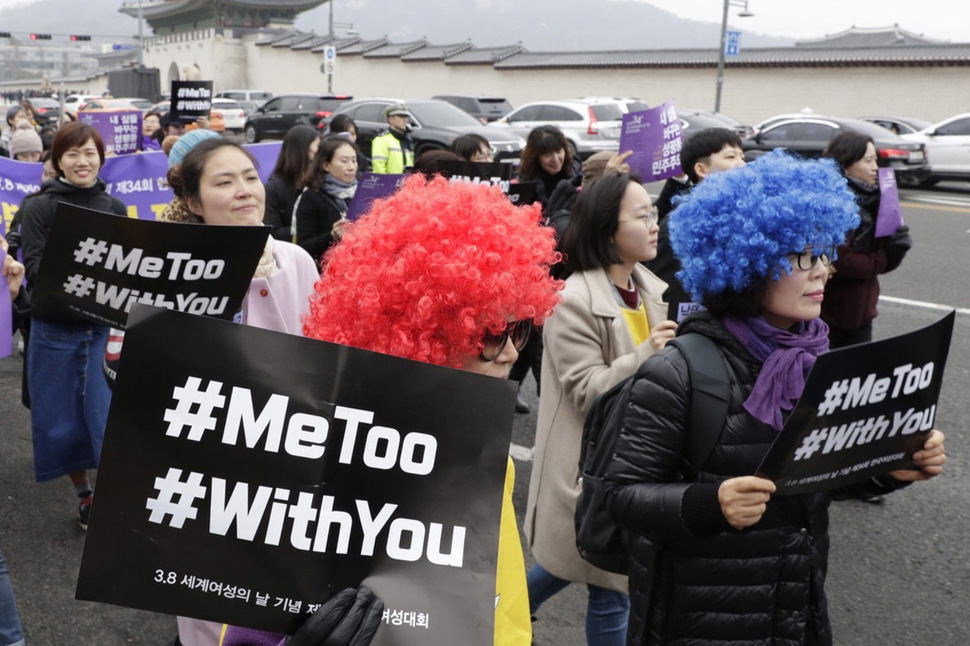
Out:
{"x": 611, "y": 320}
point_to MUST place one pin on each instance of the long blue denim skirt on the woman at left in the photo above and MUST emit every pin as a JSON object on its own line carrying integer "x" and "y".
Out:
{"x": 69, "y": 396}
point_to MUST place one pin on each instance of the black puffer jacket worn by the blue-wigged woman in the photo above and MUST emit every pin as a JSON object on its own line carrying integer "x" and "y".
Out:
{"x": 695, "y": 580}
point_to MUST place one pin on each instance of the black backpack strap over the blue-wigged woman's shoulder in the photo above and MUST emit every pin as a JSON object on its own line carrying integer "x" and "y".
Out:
{"x": 710, "y": 394}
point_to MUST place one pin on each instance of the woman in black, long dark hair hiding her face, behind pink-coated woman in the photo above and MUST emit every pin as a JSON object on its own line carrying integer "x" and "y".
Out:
{"x": 300, "y": 145}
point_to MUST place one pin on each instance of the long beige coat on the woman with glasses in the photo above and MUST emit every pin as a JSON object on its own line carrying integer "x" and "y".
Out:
{"x": 588, "y": 349}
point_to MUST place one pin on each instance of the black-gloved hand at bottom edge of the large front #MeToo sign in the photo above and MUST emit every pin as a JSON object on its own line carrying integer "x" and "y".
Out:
{"x": 349, "y": 618}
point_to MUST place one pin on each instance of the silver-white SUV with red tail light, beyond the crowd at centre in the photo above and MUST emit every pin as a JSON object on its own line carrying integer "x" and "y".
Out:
{"x": 589, "y": 125}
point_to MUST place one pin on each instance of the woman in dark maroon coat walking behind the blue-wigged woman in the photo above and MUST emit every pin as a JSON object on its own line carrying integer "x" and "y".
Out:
{"x": 851, "y": 296}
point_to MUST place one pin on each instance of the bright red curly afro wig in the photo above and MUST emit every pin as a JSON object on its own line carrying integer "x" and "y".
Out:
{"x": 428, "y": 270}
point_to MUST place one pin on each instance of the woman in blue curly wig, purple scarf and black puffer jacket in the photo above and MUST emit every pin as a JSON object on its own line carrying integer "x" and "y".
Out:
{"x": 715, "y": 558}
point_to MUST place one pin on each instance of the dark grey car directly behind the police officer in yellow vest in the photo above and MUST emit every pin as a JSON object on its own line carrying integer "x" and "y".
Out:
{"x": 435, "y": 124}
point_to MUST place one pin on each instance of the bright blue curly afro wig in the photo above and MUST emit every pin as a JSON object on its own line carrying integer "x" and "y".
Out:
{"x": 737, "y": 227}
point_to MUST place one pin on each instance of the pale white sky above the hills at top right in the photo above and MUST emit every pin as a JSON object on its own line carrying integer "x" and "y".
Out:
{"x": 805, "y": 19}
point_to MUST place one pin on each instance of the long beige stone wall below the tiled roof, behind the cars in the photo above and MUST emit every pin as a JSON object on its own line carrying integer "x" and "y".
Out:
{"x": 750, "y": 94}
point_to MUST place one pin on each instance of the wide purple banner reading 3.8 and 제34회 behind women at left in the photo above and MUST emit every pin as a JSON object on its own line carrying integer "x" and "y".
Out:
{"x": 138, "y": 180}
